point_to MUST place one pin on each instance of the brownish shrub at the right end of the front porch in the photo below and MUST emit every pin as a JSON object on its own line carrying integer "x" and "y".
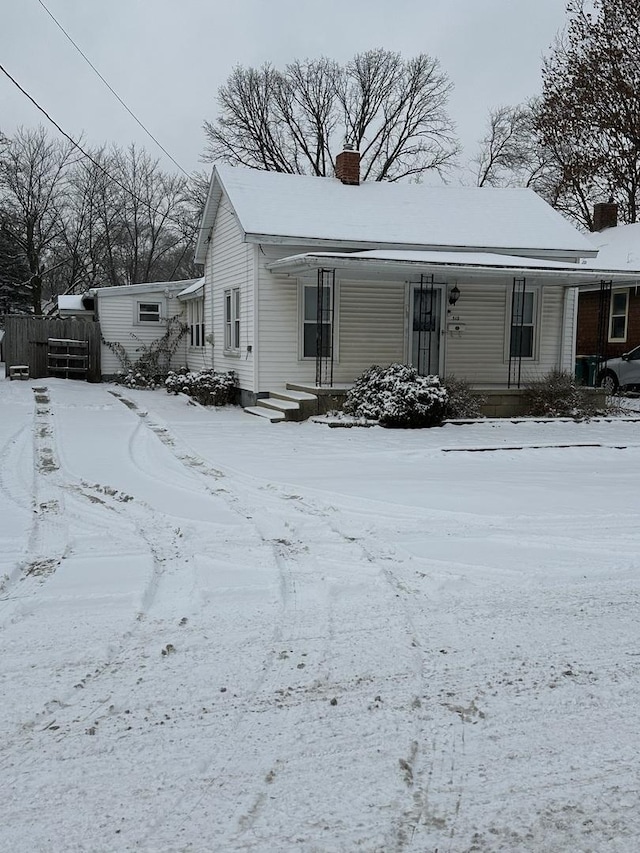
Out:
{"x": 558, "y": 395}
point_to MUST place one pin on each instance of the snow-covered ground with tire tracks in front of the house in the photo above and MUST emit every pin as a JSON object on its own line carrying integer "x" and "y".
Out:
{"x": 219, "y": 634}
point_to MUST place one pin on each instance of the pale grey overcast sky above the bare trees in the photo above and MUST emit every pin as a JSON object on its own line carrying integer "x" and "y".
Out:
{"x": 167, "y": 58}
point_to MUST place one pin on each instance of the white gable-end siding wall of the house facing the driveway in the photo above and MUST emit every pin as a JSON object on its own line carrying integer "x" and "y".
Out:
{"x": 229, "y": 265}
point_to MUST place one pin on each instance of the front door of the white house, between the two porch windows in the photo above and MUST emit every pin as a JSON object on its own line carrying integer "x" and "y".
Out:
{"x": 425, "y": 328}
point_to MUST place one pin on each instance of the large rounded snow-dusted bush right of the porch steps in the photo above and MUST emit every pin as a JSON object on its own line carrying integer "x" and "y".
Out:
{"x": 397, "y": 396}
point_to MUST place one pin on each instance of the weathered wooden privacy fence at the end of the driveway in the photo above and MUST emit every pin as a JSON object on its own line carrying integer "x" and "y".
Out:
{"x": 26, "y": 342}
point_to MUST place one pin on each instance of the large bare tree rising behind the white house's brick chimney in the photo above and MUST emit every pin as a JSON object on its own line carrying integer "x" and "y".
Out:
{"x": 393, "y": 110}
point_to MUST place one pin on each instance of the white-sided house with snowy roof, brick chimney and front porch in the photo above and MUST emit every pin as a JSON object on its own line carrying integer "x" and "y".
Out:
{"x": 308, "y": 281}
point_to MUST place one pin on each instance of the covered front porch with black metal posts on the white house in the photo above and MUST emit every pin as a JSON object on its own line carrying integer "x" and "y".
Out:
{"x": 494, "y": 320}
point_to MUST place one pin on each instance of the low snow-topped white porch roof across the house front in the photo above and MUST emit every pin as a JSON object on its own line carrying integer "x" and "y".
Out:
{"x": 463, "y": 266}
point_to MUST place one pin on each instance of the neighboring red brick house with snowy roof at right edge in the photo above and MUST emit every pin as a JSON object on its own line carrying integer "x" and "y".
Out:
{"x": 609, "y": 313}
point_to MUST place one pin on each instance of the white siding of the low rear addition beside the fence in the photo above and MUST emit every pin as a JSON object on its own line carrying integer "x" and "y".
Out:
{"x": 117, "y": 315}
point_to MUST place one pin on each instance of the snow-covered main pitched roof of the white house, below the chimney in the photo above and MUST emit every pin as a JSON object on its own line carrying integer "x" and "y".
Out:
{"x": 299, "y": 209}
